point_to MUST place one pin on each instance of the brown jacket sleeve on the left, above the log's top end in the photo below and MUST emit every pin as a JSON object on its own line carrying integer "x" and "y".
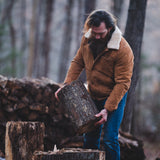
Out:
{"x": 76, "y": 66}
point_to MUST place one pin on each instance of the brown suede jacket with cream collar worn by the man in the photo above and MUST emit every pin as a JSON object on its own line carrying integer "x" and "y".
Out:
{"x": 109, "y": 75}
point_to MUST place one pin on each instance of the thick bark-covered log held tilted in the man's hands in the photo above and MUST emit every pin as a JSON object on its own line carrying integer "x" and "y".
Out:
{"x": 79, "y": 106}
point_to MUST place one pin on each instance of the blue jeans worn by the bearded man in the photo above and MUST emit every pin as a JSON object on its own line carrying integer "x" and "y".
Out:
{"x": 111, "y": 129}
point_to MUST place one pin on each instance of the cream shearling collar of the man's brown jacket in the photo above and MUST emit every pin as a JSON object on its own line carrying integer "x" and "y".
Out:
{"x": 114, "y": 42}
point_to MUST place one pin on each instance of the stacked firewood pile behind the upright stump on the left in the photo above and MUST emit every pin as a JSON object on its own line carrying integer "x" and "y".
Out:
{"x": 33, "y": 100}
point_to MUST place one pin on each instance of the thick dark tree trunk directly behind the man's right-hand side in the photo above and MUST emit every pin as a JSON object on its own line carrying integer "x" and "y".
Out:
{"x": 134, "y": 34}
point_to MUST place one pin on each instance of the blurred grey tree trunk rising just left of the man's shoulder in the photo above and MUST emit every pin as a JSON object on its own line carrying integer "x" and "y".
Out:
{"x": 66, "y": 44}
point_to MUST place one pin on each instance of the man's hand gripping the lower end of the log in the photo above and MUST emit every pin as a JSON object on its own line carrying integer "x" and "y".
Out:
{"x": 103, "y": 113}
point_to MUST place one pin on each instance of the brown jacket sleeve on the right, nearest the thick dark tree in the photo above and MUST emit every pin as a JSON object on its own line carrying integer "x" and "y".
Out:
{"x": 122, "y": 76}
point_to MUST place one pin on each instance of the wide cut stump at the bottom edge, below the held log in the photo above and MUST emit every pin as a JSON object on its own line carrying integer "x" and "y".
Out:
{"x": 70, "y": 154}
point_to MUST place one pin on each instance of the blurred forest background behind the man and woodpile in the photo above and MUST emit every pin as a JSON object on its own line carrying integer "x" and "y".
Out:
{"x": 40, "y": 38}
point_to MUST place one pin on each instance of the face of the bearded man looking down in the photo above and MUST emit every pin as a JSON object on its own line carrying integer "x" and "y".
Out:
{"x": 99, "y": 33}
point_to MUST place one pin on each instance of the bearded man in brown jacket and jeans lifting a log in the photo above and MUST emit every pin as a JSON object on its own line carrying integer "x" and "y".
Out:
{"x": 108, "y": 60}
